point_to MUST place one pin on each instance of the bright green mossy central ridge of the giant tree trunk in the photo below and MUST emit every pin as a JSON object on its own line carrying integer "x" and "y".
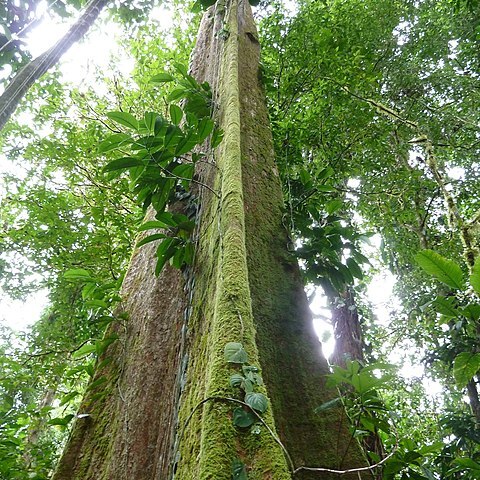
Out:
{"x": 222, "y": 311}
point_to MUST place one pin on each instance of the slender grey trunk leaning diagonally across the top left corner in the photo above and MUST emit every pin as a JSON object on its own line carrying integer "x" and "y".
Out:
{"x": 28, "y": 75}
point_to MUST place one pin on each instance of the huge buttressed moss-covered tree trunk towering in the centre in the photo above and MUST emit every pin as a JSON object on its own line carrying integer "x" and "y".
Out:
{"x": 164, "y": 414}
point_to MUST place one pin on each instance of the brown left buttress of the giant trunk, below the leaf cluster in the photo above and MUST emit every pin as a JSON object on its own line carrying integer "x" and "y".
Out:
{"x": 126, "y": 434}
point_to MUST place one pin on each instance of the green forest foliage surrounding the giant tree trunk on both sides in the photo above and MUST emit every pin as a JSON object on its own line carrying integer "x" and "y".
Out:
{"x": 375, "y": 120}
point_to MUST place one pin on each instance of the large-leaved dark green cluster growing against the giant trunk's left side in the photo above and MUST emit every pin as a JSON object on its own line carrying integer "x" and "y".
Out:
{"x": 160, "y": 161}
